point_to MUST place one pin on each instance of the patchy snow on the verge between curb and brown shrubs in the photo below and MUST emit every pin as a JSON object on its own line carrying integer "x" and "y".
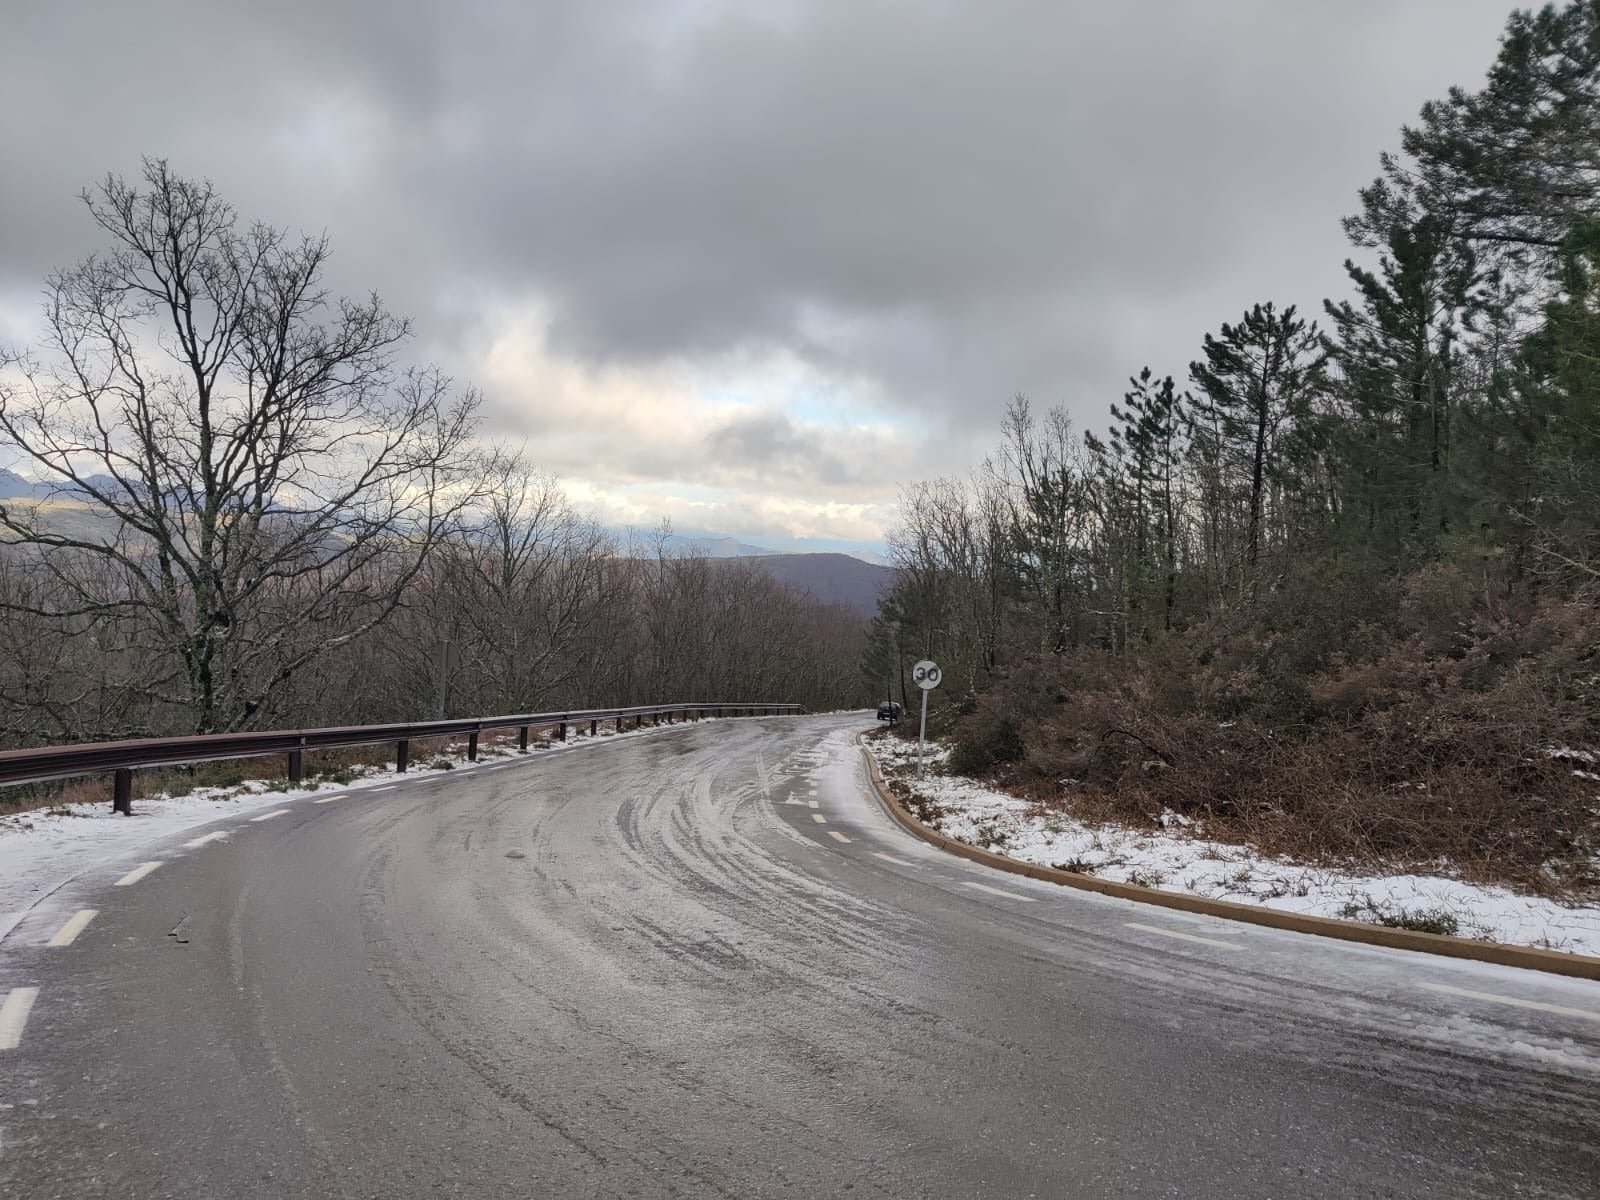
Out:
{"x": 1175, "y": 862}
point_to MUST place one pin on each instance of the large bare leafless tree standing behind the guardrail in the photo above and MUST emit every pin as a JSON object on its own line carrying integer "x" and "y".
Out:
{"x": 266, "y": 479}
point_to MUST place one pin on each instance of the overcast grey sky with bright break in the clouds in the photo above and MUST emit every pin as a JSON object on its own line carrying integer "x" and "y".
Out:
{"x": 753, "y": 265}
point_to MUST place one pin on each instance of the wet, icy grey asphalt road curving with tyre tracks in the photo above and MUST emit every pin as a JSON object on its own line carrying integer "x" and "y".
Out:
{"x": 703, "y": 962}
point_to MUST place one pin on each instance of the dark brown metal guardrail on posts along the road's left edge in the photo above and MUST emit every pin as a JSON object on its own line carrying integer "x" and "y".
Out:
{"x": 121, "y": 759}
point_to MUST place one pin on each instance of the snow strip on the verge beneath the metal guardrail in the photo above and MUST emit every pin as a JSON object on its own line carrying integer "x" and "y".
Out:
{"x": 46, "y": 850}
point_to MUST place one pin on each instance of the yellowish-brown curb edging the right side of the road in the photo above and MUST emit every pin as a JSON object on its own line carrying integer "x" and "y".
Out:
{"x": 1554, "y": 962}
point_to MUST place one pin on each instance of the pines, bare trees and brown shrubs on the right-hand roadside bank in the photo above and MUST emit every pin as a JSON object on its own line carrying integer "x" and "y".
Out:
{"x": 1332, "y": 590}
